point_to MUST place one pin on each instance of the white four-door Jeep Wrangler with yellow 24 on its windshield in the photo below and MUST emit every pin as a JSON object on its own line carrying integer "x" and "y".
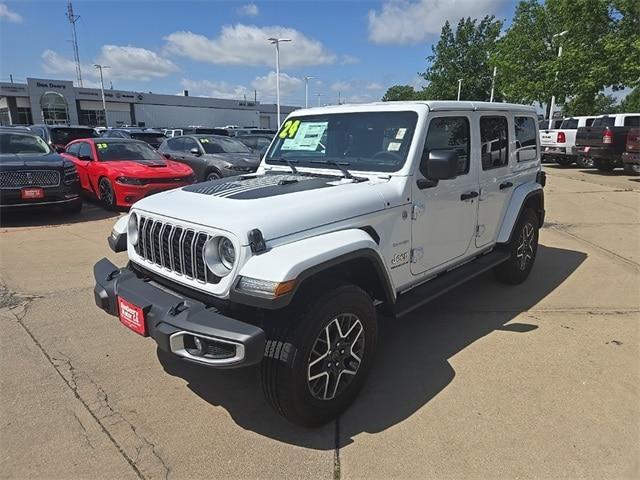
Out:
{"x": 354, "y": 209}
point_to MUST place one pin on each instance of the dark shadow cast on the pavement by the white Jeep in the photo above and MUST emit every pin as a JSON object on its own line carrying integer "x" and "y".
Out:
{"x": 412, "y": 362}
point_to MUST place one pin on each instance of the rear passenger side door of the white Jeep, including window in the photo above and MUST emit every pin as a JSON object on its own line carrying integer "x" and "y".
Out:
{"x": 496, "y": 175}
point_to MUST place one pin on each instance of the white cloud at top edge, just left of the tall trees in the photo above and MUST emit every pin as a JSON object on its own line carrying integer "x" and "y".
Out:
{"x": 411, "y": 21}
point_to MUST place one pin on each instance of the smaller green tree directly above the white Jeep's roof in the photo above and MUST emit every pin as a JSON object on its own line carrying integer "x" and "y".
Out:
{"x": 464, "y": 55}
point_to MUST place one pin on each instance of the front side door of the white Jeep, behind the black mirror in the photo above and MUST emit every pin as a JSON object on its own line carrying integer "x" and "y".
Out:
{"x": 444, "y": 215}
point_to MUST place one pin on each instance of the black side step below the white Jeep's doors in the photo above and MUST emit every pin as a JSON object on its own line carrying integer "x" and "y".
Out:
{"x": 446, "y": 281}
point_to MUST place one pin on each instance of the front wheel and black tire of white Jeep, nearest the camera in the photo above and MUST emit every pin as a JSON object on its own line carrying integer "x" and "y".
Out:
{"x": 294, "y": 355}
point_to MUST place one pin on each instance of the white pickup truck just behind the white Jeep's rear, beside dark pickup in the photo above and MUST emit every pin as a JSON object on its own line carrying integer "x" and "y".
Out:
{"x": 559, "y": 145}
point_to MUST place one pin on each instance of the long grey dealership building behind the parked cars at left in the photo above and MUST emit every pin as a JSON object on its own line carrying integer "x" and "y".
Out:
{"x": 58, "y": 101}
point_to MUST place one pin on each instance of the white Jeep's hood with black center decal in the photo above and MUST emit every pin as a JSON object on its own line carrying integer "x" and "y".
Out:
{"x": 279, "y": 204}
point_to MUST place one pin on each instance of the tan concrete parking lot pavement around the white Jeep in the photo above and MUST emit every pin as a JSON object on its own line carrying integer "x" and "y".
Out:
{"x": 539, "y": 380}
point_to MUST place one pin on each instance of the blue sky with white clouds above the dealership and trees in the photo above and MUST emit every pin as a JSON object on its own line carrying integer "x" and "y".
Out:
{"x": 215, "y": 48}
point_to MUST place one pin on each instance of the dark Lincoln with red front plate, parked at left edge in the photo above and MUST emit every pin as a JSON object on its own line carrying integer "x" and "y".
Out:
{"x": 32, "y": 174}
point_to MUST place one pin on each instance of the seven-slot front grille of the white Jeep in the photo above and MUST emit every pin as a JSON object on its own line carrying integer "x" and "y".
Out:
{"x": 174, "y": 248}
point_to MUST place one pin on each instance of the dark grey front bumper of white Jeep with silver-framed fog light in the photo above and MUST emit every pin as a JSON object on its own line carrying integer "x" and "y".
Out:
{"x": 173, "y": 319}
